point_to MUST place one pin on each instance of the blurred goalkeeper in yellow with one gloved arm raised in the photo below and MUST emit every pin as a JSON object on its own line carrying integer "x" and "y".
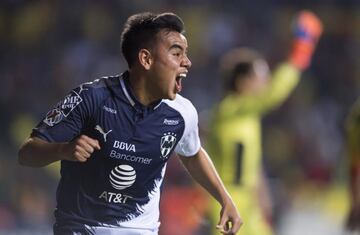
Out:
{"x": 235, "y": 132}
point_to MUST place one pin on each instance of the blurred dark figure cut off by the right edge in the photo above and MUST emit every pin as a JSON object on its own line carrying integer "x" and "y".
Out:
{"x": 353, "y": 147}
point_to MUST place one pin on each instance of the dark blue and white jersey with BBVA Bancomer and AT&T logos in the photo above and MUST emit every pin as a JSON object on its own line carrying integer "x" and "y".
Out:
{"x": 119, "y": 185}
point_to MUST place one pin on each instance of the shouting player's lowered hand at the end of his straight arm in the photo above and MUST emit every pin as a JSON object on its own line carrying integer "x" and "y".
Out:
{"x": 230, "y": 220}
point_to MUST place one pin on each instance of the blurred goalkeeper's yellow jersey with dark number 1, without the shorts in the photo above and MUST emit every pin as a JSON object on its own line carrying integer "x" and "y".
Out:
{"x": 235, "y": 139}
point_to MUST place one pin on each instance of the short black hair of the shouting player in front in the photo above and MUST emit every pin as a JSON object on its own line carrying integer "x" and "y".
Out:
{"x": 140, "y": 31}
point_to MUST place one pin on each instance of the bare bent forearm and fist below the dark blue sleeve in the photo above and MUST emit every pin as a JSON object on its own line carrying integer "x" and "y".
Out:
{"x": 36, "y": 152}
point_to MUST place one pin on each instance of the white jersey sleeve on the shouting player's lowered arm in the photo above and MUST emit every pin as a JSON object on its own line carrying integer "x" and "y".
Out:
{"x": 189, "y": 144}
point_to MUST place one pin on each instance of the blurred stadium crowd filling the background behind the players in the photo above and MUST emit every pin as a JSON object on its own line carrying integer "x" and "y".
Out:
{"x": 50, "y": 47}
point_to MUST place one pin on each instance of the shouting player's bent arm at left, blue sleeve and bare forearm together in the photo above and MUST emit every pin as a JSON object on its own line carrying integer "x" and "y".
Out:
{"x": 59, "y": 135}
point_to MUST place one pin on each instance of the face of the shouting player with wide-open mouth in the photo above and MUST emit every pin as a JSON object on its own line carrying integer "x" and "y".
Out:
{"x": 170, "y": 64}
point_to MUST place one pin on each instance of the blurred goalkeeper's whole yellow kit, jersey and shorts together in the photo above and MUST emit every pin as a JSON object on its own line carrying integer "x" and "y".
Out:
{"x": 235, "y": 146}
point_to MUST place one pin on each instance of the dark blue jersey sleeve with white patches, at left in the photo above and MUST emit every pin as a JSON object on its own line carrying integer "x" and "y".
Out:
{"x": 67, "y": 119}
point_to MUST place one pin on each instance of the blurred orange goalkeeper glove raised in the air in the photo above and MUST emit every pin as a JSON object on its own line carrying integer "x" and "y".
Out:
{"x": 308, "y": 29}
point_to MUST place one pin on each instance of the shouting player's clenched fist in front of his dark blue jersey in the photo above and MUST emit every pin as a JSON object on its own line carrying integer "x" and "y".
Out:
{"x": 80, "y": 149}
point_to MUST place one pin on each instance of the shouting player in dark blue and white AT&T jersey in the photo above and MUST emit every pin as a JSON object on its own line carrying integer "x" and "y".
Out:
{"x": 114, "y": 136}
